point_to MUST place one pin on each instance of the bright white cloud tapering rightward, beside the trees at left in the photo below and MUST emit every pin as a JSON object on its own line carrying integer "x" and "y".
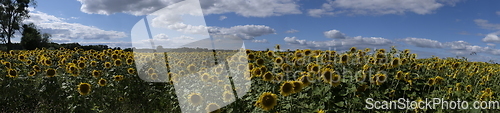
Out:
{"x": 63, "y": 30}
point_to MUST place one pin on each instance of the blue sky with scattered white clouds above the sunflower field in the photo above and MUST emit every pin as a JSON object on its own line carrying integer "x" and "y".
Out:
{"x": 444, "y": 28}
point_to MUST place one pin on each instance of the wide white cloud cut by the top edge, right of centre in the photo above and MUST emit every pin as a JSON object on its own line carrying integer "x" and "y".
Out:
{"x": 380, "y": 7}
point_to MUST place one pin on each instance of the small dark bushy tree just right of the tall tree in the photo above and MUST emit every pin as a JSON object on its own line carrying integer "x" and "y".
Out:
{"x": 32, "y": 38}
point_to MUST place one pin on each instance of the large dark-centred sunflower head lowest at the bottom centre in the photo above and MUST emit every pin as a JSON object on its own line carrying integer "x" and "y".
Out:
{"x": 267, "y": 101}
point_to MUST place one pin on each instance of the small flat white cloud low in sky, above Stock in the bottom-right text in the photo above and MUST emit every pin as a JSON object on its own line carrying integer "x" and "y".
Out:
{"x": 422, "y": 42}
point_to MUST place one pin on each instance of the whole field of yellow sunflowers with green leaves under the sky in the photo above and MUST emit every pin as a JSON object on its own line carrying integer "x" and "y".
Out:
{"x": 308, "y": 81}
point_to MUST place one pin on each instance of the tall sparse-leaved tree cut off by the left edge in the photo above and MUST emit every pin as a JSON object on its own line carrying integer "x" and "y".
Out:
{"x": 12, "y": 14}
